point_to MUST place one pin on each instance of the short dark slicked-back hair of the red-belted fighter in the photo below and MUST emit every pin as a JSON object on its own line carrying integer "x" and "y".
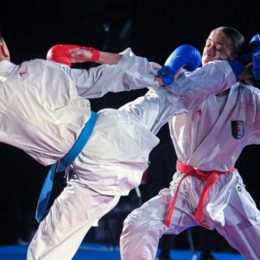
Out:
{"x": 236, "y": 37}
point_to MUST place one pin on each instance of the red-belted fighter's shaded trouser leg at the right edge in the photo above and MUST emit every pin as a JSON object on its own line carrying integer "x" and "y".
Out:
{"x": 242, "y": 222}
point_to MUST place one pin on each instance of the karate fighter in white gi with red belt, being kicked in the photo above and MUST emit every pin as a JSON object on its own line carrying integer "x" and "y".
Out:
{"x": 206, "y": 189}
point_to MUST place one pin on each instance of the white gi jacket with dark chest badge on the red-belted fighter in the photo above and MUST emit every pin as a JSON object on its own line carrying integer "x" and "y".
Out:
{"x": 203, "y": 138}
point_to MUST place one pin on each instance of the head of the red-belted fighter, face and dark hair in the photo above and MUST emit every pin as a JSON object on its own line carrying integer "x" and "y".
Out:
{"x": 223, "y": 43}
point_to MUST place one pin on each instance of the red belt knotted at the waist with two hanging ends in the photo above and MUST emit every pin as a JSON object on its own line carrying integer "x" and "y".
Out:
{"x": 209, "y": 177}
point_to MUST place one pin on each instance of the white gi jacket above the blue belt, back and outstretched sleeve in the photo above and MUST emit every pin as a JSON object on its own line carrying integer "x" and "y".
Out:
{"x": 43, "y": 105}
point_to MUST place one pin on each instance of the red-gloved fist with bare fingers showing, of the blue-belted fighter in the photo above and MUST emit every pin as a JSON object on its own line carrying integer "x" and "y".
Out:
{"x": 68, "y": 53}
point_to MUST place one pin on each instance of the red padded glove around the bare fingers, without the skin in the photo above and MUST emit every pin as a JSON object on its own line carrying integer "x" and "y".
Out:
{"x": 61, "y": 53}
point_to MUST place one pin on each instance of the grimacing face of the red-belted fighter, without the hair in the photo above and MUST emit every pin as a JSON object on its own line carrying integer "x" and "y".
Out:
{"x": 218, "y": 47}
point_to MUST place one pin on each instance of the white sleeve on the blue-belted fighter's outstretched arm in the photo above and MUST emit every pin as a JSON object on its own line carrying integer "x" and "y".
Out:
{"x": 131, "y": 72}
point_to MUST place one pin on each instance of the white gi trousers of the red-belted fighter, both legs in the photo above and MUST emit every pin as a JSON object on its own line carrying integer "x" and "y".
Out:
{"x": 144, "y": 226}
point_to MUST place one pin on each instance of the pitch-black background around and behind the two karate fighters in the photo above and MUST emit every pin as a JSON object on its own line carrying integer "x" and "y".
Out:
{"x": 151, "y": 28}
